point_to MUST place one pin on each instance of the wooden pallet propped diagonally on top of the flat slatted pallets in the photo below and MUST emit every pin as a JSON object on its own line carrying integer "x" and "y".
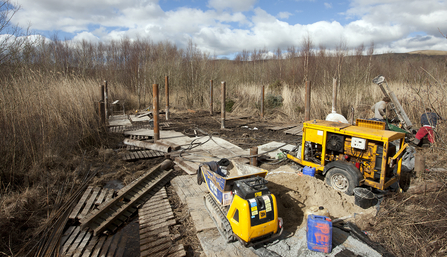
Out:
{"x": 115, "y": 212}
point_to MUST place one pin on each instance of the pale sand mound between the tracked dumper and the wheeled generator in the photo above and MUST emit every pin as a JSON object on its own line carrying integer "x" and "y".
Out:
{"x": 295, "y": 193}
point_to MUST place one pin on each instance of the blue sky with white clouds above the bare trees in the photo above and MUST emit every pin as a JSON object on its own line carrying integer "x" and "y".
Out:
{"x": 225, "y": 27}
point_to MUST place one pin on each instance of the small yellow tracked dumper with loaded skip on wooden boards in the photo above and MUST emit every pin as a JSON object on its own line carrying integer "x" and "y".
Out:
{"x": 241, "y": 205}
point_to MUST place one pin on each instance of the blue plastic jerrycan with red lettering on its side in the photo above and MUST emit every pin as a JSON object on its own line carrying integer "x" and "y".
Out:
{"x": 319, "y": 233}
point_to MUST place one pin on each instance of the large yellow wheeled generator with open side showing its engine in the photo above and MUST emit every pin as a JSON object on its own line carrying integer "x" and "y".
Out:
{"x": 351, "y": 155}
